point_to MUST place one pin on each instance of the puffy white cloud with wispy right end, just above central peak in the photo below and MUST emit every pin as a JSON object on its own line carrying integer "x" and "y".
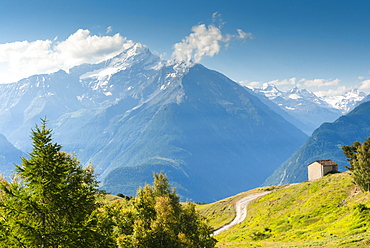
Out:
{"x": 204, "y": 41}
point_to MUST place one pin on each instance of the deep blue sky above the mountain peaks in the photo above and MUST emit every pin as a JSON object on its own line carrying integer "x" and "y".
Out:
{"x": 320, "y": 45}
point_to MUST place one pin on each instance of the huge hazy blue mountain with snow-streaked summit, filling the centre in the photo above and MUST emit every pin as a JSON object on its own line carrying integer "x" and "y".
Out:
{"x": 133, "y": 115}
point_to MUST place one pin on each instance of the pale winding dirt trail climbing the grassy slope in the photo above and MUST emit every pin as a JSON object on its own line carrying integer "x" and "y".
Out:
{"x": 241, "y": 211}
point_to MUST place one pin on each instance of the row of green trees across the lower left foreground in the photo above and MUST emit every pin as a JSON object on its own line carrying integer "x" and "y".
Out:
{"x": 53, "y": 201}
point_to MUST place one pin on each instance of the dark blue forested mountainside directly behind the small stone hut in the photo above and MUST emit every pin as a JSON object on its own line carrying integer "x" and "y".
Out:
{"x": 325, "y": 143}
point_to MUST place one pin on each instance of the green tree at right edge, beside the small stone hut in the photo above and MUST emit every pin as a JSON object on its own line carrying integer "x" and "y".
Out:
{"x": 359, "y": 157}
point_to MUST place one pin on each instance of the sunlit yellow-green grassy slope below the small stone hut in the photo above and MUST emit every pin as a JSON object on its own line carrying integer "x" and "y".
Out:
{"x": 323, "y": 213}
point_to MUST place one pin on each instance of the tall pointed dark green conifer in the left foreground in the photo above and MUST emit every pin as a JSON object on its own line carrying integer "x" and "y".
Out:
{"x": 50, "y": 201}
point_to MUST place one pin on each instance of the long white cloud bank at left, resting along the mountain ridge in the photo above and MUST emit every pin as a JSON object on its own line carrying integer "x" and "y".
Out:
{"x": 23, "y": 59}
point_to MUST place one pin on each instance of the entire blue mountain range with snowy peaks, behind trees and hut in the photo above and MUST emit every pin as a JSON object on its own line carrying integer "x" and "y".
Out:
{"x": 136, "y": 114}
